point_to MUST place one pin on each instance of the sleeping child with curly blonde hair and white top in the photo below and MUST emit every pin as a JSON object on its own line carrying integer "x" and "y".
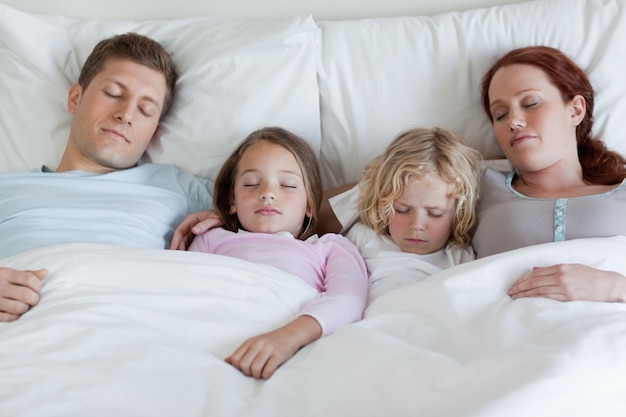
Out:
{"x": 417, "y": 203}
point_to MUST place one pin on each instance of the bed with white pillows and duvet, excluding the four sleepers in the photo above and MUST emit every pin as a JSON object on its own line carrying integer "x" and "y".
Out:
{"x": 144, "y": 332}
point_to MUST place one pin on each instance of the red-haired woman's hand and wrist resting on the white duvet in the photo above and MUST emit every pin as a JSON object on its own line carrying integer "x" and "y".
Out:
{"x": 568, "y": 282}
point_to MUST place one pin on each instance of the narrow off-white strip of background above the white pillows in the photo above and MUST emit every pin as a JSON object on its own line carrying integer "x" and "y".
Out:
{"x": 320, "y": 9}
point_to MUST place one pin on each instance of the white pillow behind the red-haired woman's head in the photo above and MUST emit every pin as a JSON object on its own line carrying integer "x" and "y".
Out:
{"x": 381, "y": 76}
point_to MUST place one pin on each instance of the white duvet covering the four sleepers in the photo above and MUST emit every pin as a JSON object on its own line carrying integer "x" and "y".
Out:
{"x": 129, "y": 332}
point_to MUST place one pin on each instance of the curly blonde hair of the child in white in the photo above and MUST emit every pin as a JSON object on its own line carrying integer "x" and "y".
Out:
{"x": 413, "y": 155}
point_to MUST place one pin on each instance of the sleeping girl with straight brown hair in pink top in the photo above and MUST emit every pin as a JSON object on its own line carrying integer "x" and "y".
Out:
{"x": 268, "y": 195}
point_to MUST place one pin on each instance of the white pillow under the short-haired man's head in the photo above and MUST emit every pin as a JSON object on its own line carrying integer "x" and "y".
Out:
{"x": 236, "y": 75}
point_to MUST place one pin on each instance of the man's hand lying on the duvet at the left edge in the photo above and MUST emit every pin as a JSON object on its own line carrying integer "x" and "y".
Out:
{"x": 19, "y": 291}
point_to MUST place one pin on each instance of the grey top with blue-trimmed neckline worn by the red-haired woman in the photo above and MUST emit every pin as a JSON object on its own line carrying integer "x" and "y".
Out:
{"x": 509, "y": 220}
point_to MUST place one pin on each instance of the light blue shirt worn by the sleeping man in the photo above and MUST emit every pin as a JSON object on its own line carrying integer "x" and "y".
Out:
{"x": 136, "y": 207}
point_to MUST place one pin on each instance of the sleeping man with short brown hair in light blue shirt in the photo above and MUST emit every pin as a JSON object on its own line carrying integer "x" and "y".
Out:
{"x": 98, "y": 193}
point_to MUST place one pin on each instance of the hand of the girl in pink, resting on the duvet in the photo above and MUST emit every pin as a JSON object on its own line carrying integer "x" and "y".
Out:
{"x": 261, "y": 355}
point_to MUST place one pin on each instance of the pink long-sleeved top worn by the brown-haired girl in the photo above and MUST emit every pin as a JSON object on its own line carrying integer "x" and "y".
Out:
{"x": 331, "y": 264}
